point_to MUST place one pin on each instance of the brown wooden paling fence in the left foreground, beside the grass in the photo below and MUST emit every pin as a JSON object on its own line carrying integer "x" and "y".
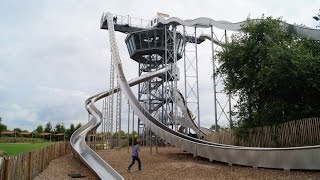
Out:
{"x": 28, "y": 165}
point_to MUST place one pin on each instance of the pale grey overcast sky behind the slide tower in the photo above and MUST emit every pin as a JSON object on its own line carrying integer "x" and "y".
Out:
{"x": 54, "y": 55}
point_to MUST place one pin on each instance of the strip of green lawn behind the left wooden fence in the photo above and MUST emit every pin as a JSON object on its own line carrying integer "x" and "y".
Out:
{"x": 12, "y": 149}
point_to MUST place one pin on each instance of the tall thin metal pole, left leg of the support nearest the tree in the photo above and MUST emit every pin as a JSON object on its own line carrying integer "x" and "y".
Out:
{"x": 214, "y": 81}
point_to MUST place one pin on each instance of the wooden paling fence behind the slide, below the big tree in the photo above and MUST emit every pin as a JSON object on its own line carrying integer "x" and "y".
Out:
{"x": 303, "y": 132}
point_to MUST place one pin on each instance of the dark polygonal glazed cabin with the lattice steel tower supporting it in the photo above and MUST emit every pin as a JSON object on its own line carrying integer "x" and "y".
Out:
{"x": 154, "y": 49}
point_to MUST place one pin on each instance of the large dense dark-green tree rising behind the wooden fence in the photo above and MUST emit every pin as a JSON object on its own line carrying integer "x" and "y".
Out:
{"x": 274, "y": 74}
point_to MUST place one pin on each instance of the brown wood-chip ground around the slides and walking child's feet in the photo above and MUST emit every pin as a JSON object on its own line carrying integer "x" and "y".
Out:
{"x": 168, "y": 163}
